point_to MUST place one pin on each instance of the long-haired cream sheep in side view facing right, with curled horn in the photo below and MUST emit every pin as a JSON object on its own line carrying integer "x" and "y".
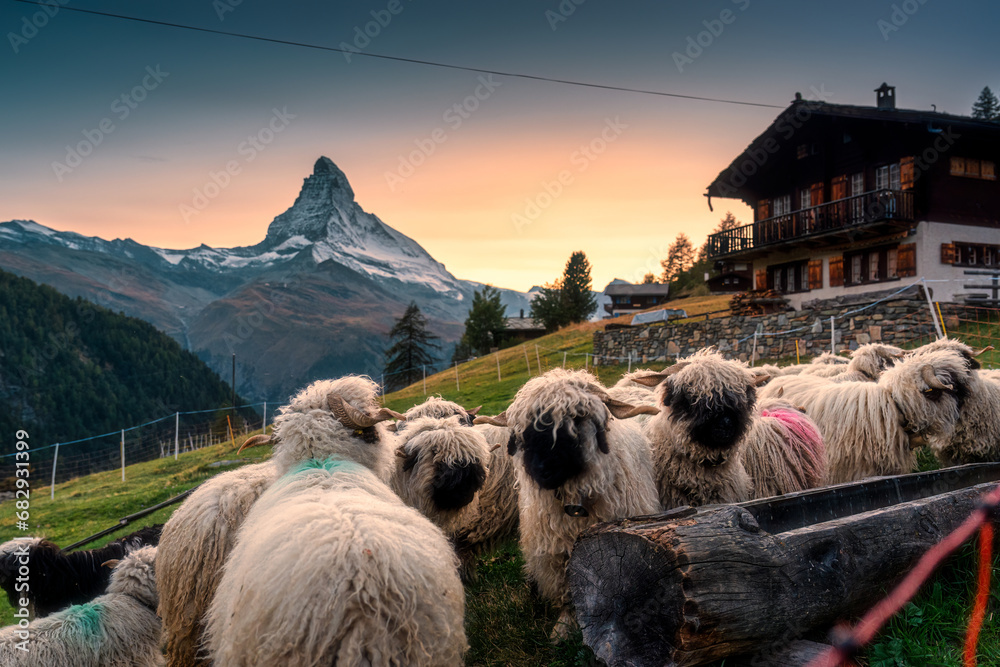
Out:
{"x": 870, "y": 428}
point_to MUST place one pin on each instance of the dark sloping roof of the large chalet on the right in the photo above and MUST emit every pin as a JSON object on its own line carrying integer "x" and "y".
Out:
{"x": 800, "y": 112}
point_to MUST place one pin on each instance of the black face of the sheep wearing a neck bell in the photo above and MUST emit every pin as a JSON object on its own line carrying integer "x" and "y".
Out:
{"x": 552, "y": 454}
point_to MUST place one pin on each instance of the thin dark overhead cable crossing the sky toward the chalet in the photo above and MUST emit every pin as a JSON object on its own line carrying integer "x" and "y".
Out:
{"x": 416, "y": 61}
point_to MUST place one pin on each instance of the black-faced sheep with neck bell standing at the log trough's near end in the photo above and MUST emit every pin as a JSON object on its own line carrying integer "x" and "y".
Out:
{"x": 575, "y": 466}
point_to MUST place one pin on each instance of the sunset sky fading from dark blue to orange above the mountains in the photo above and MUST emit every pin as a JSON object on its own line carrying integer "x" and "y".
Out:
{"x": 498, "y": 177}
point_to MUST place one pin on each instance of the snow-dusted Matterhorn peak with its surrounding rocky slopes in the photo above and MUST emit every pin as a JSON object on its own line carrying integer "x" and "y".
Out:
{"x": 315, "y": 298}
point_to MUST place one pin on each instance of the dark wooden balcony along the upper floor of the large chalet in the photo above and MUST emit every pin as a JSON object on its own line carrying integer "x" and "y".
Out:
{"x": 866, "y": 215}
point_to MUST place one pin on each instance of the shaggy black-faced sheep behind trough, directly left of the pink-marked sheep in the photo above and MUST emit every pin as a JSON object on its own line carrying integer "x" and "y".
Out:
{"x": 707, "y": 405}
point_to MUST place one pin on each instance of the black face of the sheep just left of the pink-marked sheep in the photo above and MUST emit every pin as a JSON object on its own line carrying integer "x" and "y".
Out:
{"x": 716, "y": 420}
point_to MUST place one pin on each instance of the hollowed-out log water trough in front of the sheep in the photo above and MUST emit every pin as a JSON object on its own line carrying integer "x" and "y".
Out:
{"x": 692, "y": 586}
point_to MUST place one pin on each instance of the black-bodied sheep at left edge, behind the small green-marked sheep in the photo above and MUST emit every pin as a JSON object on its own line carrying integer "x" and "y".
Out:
{"x": 58, "y": 579}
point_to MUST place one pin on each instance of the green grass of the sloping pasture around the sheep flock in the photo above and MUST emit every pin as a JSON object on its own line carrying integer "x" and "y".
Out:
{"x": 507, "y": 623}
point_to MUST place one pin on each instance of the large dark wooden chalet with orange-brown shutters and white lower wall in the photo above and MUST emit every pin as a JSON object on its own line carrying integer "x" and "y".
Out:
{"x": 850, "y": 199}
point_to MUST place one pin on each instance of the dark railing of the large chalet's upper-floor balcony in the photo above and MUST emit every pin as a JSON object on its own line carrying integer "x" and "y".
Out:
{"x": 847, "y": 213}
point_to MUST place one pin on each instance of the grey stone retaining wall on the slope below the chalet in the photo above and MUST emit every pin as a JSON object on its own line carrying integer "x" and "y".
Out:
{"x": 904, "y": 317}
